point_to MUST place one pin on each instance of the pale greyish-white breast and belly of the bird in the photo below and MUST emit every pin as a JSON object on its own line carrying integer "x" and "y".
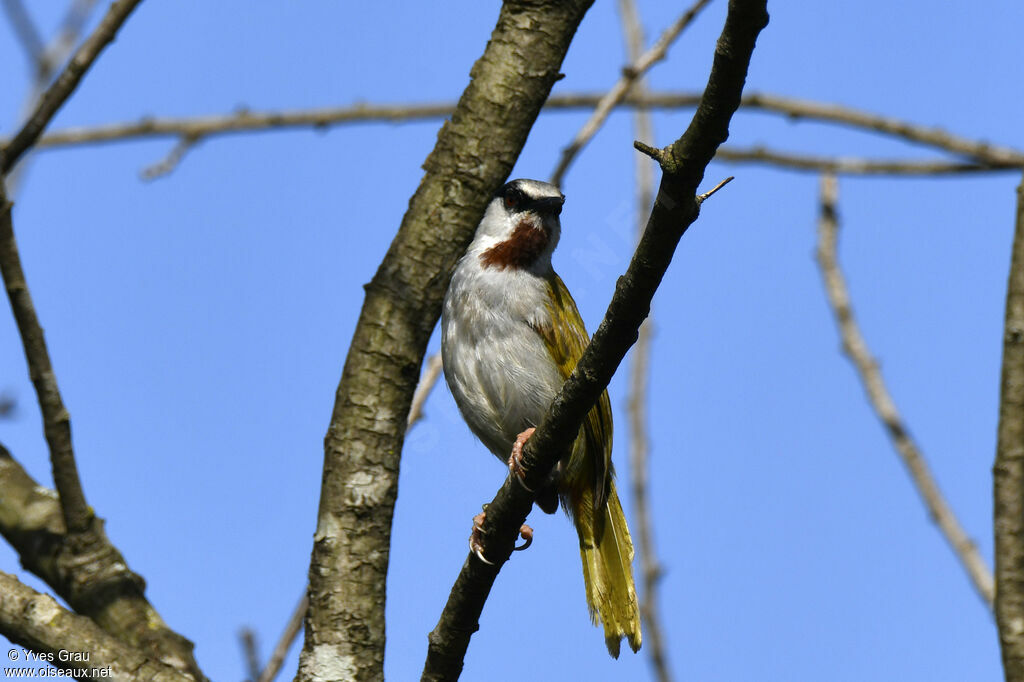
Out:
{"x": 496, "y": 364}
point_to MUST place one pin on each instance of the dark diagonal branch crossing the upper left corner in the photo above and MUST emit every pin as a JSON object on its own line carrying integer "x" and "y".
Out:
{"x": 58, "y": 94}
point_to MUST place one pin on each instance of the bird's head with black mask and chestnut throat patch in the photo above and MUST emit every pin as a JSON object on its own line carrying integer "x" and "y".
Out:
{"x": 521, "y": 228}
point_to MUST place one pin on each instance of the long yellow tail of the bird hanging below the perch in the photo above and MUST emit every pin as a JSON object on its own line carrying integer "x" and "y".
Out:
{"x": 608, "y": 572}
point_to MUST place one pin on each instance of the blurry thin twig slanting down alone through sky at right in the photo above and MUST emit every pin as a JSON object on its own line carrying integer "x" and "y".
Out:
{"x": 868, "y": 370}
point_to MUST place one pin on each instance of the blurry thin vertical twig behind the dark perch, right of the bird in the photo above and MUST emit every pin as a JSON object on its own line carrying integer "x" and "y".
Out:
{"x": 641, "y": 369}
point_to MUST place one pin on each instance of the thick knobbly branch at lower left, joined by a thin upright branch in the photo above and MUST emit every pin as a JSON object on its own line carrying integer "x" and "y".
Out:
{"x": 84, "y": 570}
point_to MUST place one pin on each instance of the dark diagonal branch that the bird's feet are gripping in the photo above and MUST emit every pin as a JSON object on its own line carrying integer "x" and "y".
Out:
{"x": 675, "y": 209}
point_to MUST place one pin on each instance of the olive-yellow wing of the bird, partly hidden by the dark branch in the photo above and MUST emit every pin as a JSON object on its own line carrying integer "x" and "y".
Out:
{"x": 590, "y": 464}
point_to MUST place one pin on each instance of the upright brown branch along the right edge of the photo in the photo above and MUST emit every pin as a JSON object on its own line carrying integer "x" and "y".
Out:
{"x": 1008, "y": 475}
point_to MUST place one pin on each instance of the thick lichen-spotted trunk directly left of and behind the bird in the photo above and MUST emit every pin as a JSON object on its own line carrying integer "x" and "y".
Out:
{"x": 476, "y": 152}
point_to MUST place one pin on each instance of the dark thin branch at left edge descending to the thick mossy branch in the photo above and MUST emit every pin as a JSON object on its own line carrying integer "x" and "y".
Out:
{"x": 57, "y": 420}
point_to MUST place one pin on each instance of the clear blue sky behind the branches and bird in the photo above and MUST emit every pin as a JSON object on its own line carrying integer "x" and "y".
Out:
{"x": 199, "y": 324}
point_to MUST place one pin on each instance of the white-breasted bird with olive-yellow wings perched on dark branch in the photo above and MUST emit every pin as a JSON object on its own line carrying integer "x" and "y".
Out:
{"x": 511, "y": 335}
